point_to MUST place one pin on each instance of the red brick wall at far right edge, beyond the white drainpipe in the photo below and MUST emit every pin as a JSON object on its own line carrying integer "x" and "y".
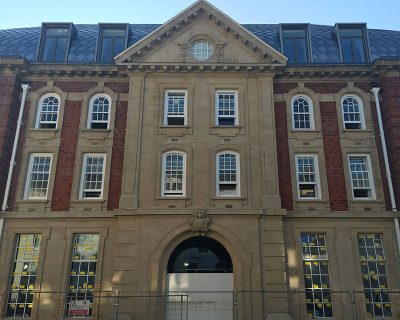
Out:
{"x": 390, "y": 106}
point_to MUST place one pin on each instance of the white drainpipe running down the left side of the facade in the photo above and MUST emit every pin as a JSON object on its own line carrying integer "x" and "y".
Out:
{"x": 25, "y": 88}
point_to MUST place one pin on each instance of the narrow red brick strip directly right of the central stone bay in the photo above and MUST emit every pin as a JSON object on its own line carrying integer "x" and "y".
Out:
{"x": 282, "y": 144}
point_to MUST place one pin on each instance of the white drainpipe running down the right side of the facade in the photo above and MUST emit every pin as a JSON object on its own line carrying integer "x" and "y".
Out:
{"x": 375, "y": 91}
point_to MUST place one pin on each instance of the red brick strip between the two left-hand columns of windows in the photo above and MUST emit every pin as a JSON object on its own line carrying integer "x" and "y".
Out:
{"x": 66, "y": 157}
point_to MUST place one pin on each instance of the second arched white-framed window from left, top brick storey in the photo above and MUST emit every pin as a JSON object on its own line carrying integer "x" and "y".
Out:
{"x": 99, "y": 112}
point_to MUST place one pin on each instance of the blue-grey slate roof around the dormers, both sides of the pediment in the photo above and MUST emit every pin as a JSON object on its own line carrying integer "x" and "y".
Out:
{"x": 24, "y": 42}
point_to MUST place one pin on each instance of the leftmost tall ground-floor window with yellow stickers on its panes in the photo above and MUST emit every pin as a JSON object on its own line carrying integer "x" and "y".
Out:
{"x": 23, "y": 277}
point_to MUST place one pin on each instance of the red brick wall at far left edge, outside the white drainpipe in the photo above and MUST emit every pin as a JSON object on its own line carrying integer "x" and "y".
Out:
{"x": 9, "y": 109}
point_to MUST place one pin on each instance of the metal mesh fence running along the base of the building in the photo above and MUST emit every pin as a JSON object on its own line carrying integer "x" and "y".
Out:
{"x": 199, "y": 305}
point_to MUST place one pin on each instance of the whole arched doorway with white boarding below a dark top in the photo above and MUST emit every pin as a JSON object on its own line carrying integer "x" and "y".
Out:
{"x": 200, "y": 274}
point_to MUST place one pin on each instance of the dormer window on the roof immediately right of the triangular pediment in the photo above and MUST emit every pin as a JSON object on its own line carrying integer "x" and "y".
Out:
{"x": 295, "y": 44}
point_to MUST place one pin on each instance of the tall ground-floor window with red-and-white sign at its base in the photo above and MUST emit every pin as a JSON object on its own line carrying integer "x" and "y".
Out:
{"x": 81, "y": 279}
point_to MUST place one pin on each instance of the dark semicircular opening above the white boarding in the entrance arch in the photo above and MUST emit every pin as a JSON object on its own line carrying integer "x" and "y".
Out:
{"x": 200, "y": 255}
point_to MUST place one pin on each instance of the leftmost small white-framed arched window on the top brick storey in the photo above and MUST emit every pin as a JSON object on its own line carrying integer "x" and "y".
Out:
{"x": 47, "y": 112}
